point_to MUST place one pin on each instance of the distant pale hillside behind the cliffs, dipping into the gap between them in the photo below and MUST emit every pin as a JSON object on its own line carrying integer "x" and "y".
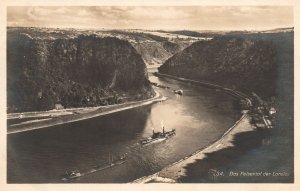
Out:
{"x": 154, "y": 47}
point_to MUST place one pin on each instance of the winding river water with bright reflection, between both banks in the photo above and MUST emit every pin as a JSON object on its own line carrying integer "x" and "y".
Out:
{"x": 200, "y": 117}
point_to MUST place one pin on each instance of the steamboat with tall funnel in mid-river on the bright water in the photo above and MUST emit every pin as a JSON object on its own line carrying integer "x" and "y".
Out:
{"x": 158, "y": 136}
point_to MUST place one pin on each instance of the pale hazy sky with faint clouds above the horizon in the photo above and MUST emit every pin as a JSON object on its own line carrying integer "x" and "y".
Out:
{"x": 163, "y": 17}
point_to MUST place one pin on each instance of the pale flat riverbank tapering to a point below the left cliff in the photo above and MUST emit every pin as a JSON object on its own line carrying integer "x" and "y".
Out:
{"x": 38, "y": 120}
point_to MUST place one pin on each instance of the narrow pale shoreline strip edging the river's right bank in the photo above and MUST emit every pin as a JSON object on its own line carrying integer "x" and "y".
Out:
{"x": 172, "y": 172}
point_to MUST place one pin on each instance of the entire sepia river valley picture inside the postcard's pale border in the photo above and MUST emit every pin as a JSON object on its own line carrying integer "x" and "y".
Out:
{"x": 149, "y": 94}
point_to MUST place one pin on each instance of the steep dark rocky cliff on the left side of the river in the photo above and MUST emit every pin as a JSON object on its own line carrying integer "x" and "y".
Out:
{"x": 83, "y": 70}
